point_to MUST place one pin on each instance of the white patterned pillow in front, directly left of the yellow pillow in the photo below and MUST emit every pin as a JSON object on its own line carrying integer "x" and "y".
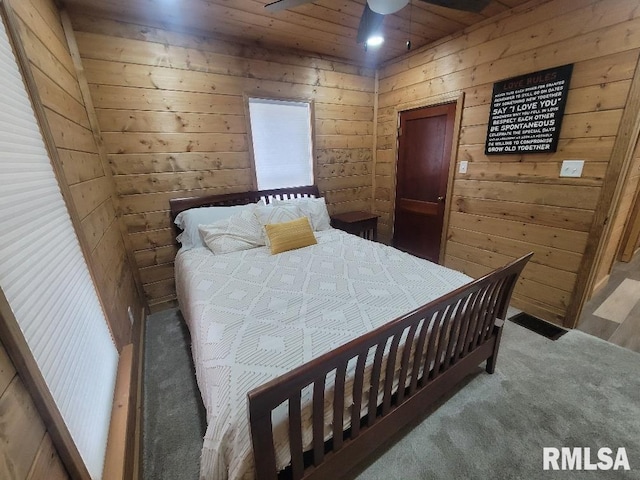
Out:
{"x": 239, "y": 232}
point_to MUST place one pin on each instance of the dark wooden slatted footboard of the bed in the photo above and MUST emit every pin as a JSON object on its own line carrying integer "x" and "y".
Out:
{"x": 432, "y": 348}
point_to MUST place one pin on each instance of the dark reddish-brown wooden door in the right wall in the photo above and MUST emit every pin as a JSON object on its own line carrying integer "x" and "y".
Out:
{"x": 424, "y": 154}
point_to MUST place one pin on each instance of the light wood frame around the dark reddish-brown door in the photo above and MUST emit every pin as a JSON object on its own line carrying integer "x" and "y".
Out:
{"x": 456, "y": 97}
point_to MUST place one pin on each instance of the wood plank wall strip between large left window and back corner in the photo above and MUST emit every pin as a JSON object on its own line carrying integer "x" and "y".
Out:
{"x": 43, "y": 38}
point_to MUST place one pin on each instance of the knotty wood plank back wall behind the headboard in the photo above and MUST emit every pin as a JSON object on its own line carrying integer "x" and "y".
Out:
{"x": 172, "y": 115}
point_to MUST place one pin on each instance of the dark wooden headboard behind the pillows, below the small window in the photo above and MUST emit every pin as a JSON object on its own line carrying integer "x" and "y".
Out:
{"x": 178, "y": 205}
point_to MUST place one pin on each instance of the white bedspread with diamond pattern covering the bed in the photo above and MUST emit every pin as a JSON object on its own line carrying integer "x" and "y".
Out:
{"x": 254, "y": 316}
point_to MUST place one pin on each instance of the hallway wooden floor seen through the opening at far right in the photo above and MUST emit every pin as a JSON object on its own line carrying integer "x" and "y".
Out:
{"x": 613, "y": 314}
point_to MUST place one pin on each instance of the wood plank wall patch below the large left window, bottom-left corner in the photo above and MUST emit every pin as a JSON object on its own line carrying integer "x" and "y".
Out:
{"x": 26, "y": 450}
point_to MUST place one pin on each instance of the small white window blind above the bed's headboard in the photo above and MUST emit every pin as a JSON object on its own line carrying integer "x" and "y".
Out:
{"x": 282, "y": 145}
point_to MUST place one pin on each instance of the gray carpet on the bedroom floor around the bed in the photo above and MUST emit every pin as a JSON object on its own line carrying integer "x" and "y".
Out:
{"x": 578, "y": 391}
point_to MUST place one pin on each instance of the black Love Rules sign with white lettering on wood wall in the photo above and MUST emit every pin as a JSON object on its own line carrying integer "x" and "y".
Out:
{"x": 526, "y": 112}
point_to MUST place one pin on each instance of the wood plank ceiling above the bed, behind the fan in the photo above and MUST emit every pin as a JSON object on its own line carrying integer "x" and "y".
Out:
{"x": 326, "y": 27}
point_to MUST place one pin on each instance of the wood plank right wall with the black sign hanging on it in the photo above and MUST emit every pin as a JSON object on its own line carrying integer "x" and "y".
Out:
{"x": 507, "y": 205}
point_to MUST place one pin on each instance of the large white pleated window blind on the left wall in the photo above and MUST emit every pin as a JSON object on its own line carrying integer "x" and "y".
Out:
{"x": 44, "y": 276}
